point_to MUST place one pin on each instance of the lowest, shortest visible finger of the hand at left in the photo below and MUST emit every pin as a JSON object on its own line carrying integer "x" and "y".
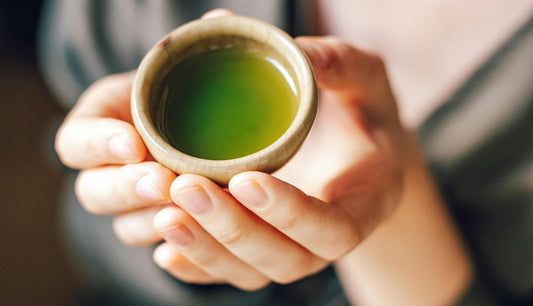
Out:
{"x": 136, "y": 228}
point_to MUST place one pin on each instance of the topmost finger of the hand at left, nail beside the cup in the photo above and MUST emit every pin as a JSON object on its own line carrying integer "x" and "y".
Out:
{"x": 89, "y": 142}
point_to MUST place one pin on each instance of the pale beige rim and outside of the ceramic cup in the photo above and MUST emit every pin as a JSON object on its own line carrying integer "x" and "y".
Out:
{"x": 267, "y": 159}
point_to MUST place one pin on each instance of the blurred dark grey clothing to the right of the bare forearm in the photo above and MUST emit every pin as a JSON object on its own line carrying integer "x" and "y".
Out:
{"x": 480, "y": 147}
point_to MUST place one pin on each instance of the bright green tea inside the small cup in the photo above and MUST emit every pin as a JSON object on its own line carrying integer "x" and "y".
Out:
{"x": 226, "y": 103}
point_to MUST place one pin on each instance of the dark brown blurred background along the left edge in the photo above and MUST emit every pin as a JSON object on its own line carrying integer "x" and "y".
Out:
{"x": 33, "y": 265}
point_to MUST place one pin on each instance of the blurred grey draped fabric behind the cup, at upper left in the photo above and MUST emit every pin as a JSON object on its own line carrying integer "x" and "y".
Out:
{"x": 84, "y": 40}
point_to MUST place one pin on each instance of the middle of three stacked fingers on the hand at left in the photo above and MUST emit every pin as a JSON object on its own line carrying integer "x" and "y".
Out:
{"x": 118, "y": 189}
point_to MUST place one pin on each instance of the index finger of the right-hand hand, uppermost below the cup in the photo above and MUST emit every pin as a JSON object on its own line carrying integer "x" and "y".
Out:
{"x": 321, "y": 228}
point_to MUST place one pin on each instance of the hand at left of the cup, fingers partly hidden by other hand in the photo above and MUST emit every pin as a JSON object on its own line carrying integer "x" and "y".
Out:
{"x": 117, "y": 175}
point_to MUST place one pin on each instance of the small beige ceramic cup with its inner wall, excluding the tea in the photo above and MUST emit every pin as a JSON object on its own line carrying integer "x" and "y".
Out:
{"x": 216, "y": 33}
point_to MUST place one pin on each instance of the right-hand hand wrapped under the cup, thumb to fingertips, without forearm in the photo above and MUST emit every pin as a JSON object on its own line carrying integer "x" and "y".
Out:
{"x": 343, "y": 183}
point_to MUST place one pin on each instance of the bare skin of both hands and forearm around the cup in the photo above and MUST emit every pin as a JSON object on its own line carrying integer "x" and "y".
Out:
{"x": 357, "y": 194}
